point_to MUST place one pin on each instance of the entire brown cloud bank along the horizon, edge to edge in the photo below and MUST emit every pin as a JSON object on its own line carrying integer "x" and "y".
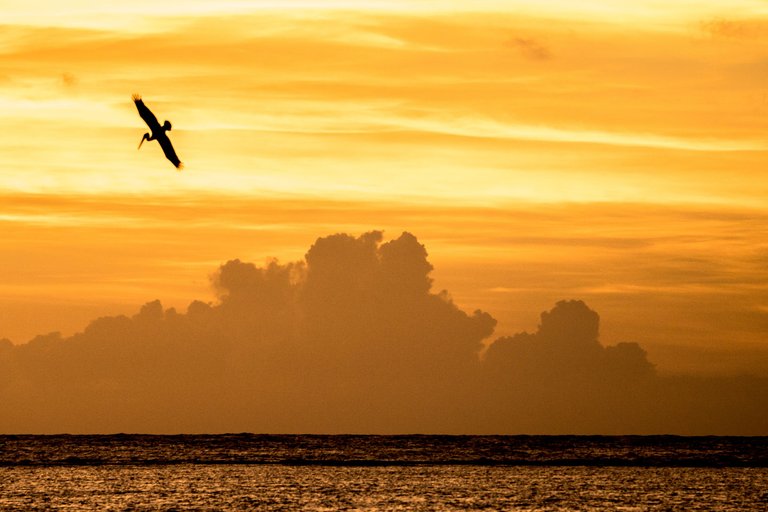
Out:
{"x": 353, "y": 340}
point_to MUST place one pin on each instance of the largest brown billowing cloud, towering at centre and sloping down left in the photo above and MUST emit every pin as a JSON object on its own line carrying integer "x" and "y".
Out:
{"x": 351, "y": 339}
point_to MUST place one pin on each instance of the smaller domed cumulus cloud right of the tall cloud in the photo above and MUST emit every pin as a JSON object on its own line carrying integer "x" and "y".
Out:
{"x": 561, "y": 379}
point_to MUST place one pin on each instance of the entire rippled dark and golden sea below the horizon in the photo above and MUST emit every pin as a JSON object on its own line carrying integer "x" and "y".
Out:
{"x": 256, "y": 472}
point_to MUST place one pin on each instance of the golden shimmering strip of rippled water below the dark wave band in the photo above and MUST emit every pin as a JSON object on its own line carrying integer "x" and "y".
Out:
{"x": 429, "y": 487}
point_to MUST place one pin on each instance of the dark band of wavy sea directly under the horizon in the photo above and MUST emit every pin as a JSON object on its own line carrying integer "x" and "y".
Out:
{"x": 372, "y": 451}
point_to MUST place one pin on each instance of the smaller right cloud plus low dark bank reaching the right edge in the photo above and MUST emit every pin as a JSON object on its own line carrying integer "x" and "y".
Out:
{"x": 560, "y": 379}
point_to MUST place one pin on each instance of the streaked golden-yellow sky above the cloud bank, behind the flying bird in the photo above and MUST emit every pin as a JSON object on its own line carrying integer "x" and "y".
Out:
{"x": 608, "y": 151}
